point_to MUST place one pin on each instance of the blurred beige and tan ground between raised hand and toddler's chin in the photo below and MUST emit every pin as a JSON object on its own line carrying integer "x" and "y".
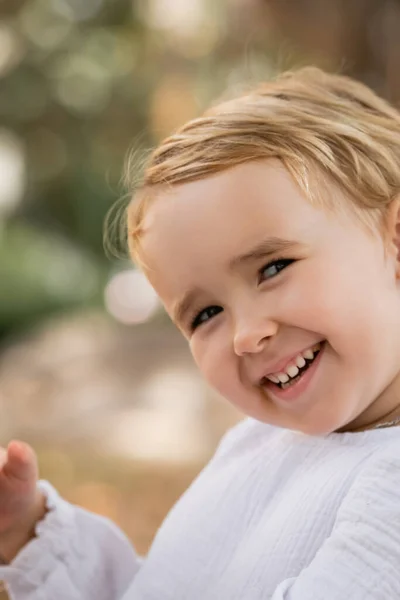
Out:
{"x": 120, "y": 418}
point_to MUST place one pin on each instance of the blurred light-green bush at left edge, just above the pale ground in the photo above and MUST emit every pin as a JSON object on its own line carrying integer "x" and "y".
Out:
{"x": 33, "y": 282}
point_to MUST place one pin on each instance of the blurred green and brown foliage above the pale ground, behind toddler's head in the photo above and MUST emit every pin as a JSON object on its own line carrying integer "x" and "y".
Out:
{"x": 83, "y": 81}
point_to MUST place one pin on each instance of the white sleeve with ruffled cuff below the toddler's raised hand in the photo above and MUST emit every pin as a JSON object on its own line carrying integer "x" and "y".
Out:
{"x": 76, "y": 556}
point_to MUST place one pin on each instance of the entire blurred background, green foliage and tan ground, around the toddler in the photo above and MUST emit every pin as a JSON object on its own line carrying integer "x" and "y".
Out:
{"x": 91, "y": 373}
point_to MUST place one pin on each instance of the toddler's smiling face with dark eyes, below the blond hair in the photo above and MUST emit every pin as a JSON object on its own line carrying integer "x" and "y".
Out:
{"x": 251, "y": 310}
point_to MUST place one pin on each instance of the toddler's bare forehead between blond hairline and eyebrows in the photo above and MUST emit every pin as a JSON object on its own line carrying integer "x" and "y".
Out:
{"x": 194, "y": 228}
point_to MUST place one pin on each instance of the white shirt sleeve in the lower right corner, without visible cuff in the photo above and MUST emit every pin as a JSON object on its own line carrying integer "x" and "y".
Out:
{"x": 361, "y": 558}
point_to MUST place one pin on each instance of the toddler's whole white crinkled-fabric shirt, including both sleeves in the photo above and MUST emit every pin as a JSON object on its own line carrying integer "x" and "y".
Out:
{"x": 275, "y": 515}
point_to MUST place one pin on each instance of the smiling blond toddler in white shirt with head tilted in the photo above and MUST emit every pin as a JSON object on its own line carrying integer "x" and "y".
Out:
{"x": 270, "y": 229}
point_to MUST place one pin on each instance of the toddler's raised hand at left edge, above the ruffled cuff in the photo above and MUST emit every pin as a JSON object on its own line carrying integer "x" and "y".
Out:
{"x": 21, "y": 503}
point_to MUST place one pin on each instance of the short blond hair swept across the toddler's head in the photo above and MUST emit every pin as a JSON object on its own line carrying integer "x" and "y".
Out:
{"x": 315, "y": 123}
